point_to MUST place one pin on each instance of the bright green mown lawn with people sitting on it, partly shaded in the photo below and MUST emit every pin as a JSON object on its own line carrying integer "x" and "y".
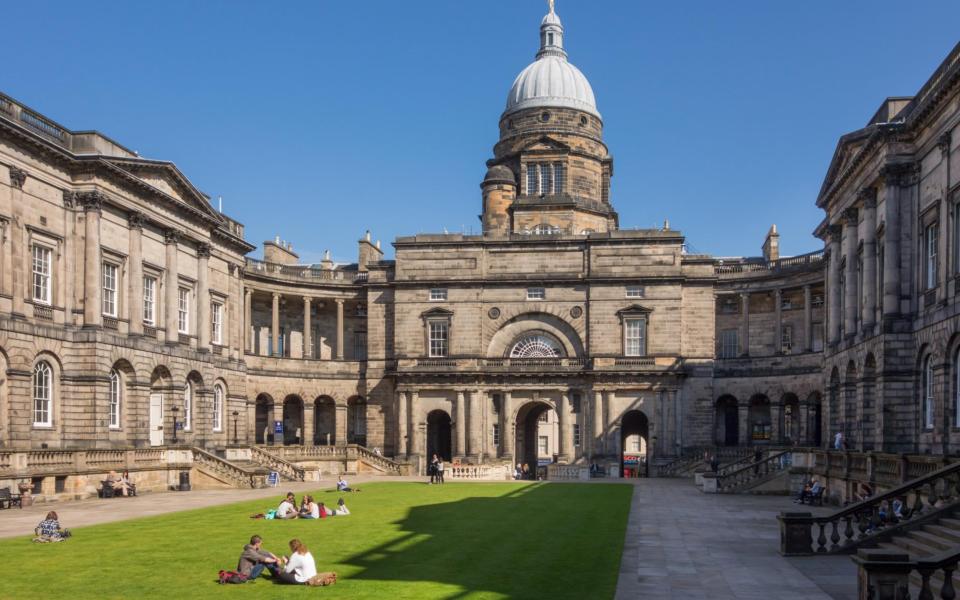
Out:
{"x": 403, "y": 540}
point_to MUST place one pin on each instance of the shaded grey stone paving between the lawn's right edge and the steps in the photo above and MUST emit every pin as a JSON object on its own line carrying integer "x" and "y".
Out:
{"x": 681, "y": 543}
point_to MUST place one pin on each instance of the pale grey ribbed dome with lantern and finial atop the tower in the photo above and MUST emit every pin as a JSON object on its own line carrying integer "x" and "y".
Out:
{"x": 551, "y": 80}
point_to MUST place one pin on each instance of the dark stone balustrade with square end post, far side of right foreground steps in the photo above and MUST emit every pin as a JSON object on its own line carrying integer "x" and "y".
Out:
{"x": 860, "y": 523}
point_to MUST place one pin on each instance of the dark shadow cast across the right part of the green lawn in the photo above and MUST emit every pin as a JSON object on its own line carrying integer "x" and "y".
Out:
{"x": 533, "y": 541}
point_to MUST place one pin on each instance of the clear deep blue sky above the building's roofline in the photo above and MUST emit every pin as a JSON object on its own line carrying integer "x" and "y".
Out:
{"x": 318, "y": 120}
